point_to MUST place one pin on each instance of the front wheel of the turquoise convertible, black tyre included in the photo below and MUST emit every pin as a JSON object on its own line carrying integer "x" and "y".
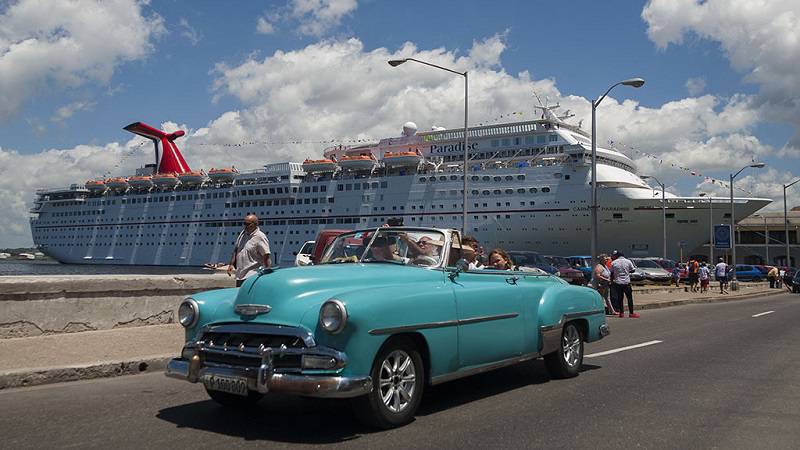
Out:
{"x": 398, "y": 378}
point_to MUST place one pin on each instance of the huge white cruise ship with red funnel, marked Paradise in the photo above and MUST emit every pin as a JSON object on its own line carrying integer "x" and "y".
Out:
{"x": 529, "y": 187}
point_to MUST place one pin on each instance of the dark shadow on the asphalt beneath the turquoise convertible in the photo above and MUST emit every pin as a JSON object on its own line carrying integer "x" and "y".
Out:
{"x": 289, "y": 419}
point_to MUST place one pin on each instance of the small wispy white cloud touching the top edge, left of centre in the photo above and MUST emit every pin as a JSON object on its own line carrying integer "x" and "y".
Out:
{"x": 311, "y": 17}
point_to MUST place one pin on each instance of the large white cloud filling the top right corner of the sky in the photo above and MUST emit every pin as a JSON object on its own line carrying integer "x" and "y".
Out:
{"x": 760, "y": 38}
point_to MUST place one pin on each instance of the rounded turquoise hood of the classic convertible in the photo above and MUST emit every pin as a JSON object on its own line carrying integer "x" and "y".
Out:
{"x": 290, "y": 293}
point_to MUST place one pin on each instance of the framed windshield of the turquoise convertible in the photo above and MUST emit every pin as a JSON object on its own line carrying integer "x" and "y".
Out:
{"x": 387, "y": 245}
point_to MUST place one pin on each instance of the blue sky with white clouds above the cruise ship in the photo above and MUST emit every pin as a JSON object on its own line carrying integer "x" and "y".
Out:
{"x": 257, "y": 82}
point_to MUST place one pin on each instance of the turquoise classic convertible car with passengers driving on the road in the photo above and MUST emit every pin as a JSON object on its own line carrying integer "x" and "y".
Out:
{"x": 386, "y": 313}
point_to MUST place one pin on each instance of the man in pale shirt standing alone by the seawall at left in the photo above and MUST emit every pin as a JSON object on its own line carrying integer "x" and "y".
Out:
{"x": 250, "y": 252}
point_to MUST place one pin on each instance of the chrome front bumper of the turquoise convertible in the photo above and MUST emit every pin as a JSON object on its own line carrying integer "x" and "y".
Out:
{"x": 263, "y": 380}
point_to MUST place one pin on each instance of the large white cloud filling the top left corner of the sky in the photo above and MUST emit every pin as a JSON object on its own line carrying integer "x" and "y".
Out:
{"x": 59, "y": 45}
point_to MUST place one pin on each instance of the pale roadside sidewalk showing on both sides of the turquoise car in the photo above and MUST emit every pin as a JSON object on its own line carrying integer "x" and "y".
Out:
{"x": 37, "y": 360}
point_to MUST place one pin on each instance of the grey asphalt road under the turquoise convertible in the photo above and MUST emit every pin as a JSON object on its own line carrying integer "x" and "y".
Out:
{"x": 719, "y": 378}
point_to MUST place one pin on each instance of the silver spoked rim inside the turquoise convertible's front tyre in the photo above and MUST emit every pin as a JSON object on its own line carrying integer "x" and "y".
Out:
{"x": 397, "y": 380}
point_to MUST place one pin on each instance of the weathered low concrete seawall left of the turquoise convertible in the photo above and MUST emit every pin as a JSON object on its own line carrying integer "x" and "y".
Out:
{"x": 39, "y": 305}
